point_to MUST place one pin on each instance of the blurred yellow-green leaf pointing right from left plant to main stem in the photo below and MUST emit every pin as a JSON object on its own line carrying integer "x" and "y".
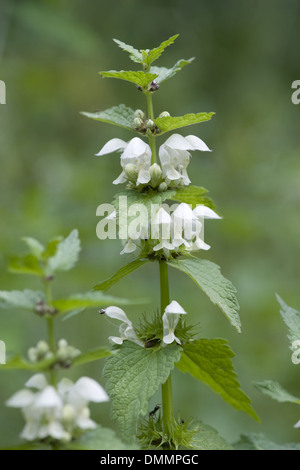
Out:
{"x": 88, "y": 299}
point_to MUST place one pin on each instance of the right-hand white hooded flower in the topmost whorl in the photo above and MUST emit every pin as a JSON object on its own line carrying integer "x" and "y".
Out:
{"x": 174, "y": 156}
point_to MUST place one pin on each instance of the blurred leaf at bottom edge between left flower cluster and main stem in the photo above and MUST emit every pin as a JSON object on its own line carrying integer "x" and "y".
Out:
{"x": 99, "y": 439}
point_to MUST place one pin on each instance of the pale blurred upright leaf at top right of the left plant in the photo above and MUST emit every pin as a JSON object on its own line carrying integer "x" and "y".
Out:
{"x": 66, "y": 254}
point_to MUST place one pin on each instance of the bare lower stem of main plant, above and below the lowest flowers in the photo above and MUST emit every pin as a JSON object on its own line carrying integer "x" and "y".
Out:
{"x": 166, "y": 388}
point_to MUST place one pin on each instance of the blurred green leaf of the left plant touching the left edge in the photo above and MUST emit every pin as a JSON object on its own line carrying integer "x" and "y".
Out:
{"x": 27, "y": 299}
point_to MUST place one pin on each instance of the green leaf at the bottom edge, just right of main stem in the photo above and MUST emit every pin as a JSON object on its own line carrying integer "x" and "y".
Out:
{"x": 207, "y": 438}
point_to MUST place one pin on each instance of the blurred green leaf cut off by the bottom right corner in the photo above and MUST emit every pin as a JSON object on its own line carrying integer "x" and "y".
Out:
{"x": 253, "y": 441}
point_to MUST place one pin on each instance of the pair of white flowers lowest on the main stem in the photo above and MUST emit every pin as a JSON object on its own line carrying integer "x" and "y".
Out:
{"x": 170, "y": 320}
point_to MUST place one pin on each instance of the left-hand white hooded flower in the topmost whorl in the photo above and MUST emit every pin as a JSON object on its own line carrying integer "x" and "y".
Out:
{"x": 136, "y": 153}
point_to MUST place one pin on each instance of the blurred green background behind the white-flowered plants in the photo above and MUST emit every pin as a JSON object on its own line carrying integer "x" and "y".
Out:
{"x": 247, "y": 57}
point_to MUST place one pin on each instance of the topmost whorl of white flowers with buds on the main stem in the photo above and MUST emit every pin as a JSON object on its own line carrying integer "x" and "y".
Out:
{"x": 136, "y": 165}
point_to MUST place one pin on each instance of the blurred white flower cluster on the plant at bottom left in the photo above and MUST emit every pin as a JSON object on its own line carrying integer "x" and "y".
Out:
{"x": 56, "y": 412}
